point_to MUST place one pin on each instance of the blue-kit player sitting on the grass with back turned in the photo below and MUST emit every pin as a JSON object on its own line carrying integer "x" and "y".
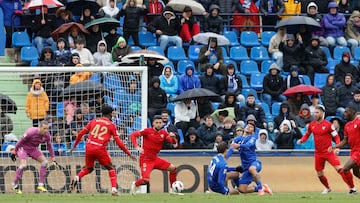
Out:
{"x": 218, "y": 172}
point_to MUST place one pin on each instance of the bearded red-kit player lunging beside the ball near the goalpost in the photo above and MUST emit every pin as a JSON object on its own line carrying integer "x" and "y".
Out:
{"x": 153, "y": 139}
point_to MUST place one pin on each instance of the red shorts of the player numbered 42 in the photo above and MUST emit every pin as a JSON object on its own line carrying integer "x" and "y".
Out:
{"x": 92, "y": 155}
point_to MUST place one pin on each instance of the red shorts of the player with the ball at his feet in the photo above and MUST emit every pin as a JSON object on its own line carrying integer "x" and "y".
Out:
{"x": 147, "y": 165}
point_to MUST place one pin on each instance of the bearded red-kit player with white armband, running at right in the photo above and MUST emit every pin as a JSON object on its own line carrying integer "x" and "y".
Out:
{"x": 323, "y": 132}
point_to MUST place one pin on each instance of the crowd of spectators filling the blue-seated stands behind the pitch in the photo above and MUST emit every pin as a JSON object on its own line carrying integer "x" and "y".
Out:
{"x": 296, "y": 57}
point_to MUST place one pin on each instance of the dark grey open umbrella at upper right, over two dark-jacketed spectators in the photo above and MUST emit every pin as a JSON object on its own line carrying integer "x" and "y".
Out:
{"x": 292, "y": 24}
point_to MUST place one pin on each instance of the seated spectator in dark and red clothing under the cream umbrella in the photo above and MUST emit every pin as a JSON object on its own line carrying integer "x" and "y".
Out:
{"x": 189, "y": 25}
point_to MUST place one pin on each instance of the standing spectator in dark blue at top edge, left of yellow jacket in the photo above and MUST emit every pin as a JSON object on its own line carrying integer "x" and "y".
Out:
{"x": 272, "y": 10}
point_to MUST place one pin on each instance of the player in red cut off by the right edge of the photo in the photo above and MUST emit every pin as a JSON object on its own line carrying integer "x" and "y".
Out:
{"x": 351, "y": 137}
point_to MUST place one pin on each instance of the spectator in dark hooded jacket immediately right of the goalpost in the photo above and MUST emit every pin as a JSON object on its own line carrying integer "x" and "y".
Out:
{"x": 157, "y": 99}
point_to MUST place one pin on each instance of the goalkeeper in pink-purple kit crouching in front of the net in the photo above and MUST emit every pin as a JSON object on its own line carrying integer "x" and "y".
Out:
{"x": 28, "y": 145}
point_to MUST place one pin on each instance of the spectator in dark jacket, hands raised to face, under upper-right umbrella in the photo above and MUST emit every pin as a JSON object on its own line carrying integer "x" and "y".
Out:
{"x": 292, "y": 51}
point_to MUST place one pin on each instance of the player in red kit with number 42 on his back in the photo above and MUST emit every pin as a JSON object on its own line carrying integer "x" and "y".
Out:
{"x": 100, "y": 131}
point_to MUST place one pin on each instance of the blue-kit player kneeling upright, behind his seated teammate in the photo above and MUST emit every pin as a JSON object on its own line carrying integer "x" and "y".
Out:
{"x": 251, "y": 165}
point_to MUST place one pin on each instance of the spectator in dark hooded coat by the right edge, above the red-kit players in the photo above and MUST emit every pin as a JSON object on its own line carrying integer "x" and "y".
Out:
{"x": 344, "y": 67}
